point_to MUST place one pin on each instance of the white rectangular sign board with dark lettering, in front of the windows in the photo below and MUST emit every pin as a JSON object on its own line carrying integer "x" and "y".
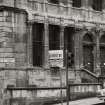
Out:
{"x": 56, "y": 58}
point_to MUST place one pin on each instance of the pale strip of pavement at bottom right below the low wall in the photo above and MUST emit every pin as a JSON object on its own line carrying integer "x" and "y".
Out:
{"x": 87, "y": 101}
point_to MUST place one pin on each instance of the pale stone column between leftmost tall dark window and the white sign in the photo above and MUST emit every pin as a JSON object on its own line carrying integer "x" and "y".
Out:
{"x": 46, "y": 45}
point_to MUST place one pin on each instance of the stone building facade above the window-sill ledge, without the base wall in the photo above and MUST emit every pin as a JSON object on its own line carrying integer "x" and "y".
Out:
{"x": 31, "y": 28}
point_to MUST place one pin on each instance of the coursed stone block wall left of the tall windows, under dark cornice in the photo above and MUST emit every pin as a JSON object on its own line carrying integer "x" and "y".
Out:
{"x": 12, "y": 39}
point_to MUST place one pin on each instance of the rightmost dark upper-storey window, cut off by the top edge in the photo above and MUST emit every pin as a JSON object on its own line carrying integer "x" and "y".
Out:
{"x": 97, "y": 5}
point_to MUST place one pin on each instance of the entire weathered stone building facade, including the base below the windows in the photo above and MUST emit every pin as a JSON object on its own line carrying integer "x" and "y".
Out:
{"x": 31, "y": 28}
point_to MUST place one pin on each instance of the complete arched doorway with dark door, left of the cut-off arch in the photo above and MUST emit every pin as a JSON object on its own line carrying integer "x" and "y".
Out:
{"x": 88, "y": 48}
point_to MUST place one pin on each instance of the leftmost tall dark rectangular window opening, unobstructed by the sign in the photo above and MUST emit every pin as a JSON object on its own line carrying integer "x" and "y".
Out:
{"x": 37, "y": 35}
